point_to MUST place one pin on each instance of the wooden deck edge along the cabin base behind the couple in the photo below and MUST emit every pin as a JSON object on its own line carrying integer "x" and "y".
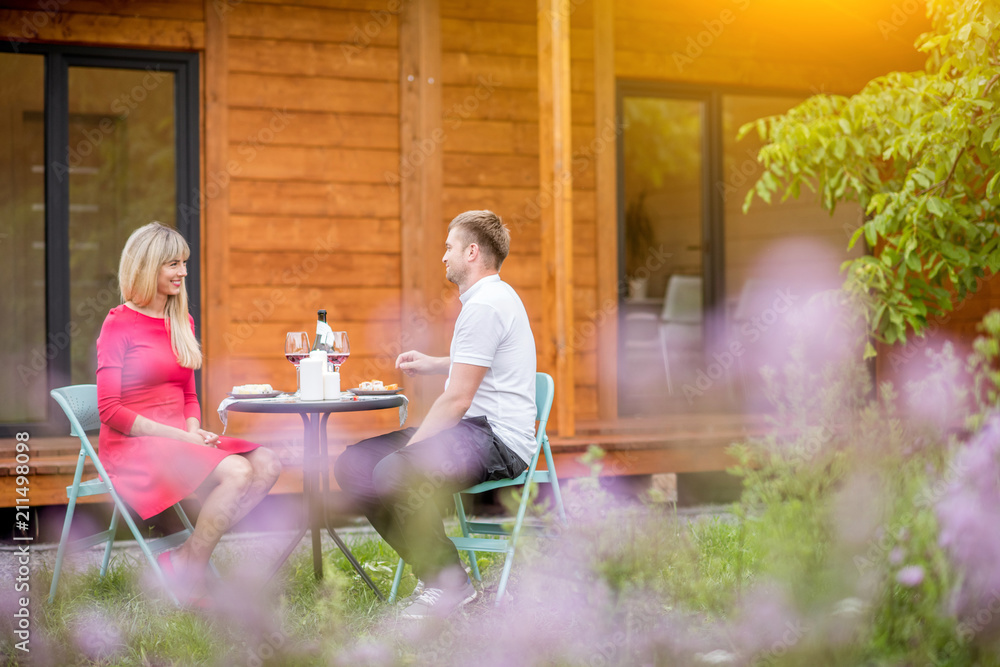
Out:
{"x": 678, "y": 443}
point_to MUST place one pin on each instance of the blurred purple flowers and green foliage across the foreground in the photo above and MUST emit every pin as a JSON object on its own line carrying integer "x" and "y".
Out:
{"x": 867, "y": 534}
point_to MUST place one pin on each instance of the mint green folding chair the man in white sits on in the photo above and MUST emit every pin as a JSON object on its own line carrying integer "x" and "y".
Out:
{"x": 502, "y": 540}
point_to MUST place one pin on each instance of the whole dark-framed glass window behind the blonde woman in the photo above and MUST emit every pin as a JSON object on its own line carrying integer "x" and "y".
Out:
{"x": 94, "y": 143}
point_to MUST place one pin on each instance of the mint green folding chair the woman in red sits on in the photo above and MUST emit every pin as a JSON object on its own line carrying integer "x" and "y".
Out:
{"x": 79, "y": 402}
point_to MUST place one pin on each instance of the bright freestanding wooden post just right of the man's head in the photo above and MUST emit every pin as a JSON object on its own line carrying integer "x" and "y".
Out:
{"x": 556, "y": 204}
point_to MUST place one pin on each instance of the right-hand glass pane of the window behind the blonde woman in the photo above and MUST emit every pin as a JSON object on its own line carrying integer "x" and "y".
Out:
{"x": 122, "y": 174}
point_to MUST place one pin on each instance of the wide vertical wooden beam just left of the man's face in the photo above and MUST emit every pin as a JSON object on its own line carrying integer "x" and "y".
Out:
{"x": 422, "y": 229}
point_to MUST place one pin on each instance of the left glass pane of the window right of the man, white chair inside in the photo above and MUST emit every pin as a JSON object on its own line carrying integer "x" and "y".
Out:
{"x": 662, "y": 259}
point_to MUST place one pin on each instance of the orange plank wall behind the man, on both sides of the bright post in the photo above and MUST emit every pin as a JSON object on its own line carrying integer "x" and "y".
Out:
{"x": 490, "y": 122}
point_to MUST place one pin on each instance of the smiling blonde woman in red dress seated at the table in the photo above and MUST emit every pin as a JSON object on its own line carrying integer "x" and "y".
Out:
{"x": 151, "y": 441}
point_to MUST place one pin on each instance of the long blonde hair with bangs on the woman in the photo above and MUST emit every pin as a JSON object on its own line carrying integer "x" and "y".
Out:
{"x": 147, "y": 249}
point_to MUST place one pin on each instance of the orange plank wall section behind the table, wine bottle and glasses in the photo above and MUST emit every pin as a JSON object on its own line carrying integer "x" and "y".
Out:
{"x": 313, "y": 101}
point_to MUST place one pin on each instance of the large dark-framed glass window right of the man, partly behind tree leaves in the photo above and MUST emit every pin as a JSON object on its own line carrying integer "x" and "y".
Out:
{"x": 699, "y": 277}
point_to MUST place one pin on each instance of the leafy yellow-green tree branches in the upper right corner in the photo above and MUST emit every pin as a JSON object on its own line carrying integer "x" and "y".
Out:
{"x": 919, "y": 152}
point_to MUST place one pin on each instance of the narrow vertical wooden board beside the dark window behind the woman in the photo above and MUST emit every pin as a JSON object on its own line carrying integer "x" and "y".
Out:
{"x": 216, "y": 379}
